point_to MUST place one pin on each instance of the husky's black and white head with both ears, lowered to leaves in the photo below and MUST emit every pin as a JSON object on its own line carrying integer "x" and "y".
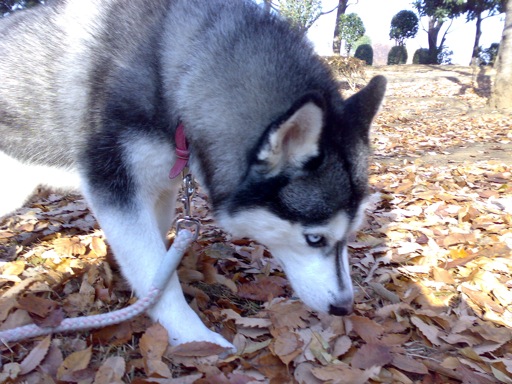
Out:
{"x": 304, "y": 193}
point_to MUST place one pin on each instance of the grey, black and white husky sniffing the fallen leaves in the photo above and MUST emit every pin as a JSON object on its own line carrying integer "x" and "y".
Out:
{"x": 91, "y": 94}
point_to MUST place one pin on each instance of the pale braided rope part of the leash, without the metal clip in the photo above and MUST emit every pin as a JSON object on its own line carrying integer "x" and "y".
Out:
{"x": 169, "y": 264}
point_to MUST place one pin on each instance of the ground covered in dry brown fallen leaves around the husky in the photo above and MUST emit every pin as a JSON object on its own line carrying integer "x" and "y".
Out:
{"x": 431, "y": 267}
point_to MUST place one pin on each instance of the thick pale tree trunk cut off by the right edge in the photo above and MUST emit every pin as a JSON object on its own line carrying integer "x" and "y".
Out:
{"x": 501, "y": 97}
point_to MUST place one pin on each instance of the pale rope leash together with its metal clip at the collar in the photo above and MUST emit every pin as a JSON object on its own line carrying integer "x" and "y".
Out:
{"x": 187, "y": 231}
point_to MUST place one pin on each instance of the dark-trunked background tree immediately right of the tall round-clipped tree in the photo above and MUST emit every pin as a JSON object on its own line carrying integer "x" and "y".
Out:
{"x": 438, "y": 12}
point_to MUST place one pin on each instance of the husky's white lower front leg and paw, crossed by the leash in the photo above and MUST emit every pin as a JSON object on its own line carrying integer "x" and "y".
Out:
{"x": 136, "y": 234}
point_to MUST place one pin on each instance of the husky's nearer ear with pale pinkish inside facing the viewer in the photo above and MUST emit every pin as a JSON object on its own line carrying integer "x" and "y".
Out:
{"x": 294, "y": 139}
